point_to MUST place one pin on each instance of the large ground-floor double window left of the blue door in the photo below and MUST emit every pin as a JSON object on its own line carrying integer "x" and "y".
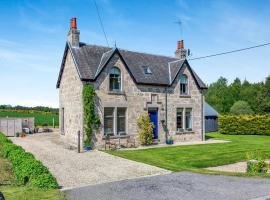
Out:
{"x": 114, "y": 121}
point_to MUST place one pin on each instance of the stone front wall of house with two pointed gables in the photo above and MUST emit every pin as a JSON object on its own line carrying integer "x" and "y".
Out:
{"x": 138, "y": 98}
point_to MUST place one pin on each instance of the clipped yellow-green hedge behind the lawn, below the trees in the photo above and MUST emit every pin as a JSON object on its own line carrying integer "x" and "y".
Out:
{"x": 244, "y": 124}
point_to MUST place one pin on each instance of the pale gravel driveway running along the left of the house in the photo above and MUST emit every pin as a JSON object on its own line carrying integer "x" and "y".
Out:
{"x": 75, "y": 170}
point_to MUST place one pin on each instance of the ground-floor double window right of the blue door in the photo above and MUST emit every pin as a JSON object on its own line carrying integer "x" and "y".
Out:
{"x": 184, "y": 119}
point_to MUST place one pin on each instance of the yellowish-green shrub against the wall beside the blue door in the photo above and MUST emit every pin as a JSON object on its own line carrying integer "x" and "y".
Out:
{"x": 145, "y": 129}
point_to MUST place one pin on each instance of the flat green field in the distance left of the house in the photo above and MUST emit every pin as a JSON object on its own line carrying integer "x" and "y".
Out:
{"x": 39, "y": 118}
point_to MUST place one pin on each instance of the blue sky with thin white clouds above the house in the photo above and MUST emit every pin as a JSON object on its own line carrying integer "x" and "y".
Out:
{"x": 33, "y": 35}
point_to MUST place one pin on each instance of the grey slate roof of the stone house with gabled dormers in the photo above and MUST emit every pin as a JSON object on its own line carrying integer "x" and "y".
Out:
{"x": 91, "y": 59}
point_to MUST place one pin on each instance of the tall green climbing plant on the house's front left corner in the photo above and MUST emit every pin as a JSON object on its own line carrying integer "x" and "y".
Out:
{"x": 91, "y": 119}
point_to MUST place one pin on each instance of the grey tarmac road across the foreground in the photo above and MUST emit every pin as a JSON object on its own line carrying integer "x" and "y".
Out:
{"x": 183, "y": 185}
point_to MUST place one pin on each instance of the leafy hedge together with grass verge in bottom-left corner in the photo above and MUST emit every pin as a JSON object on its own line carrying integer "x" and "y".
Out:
{"x": 24, "y": 177}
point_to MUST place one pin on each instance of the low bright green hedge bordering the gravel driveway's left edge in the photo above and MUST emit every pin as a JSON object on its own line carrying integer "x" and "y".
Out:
{"x": 26, "y": 168}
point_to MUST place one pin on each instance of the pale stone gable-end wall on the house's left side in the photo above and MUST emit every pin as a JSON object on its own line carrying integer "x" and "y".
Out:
{"x": 70, "y": 99}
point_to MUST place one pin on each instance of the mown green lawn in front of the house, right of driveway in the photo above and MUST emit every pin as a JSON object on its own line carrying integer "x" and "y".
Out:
{"x": 197, "y": 157}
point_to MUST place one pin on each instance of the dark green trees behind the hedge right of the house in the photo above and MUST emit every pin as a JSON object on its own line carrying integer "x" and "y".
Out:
{"x": 239, "y": 97}
